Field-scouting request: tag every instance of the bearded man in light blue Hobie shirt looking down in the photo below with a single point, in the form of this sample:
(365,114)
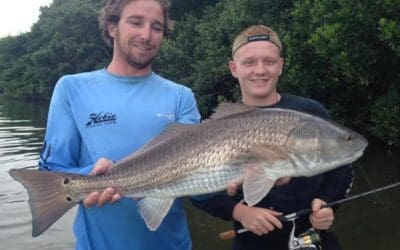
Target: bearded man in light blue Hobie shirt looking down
(110,113)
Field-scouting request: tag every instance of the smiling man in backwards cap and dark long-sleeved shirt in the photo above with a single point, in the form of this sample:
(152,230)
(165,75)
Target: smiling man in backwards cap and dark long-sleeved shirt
(257,64)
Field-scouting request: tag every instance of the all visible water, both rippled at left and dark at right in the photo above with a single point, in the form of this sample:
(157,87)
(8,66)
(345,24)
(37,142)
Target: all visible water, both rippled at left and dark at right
(367,223)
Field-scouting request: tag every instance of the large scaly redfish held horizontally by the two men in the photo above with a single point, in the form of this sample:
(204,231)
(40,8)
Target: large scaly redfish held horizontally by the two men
(250,145)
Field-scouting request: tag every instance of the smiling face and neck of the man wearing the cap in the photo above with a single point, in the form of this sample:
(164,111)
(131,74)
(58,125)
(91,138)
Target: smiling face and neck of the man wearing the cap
(257,66)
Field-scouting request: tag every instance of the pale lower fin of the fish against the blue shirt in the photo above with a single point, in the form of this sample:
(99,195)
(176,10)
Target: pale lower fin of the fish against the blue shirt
(153,211)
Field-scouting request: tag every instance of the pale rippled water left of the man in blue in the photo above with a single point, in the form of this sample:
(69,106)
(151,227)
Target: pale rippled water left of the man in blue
(21,137)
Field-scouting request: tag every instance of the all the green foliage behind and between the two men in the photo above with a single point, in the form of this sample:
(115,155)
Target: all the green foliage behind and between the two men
(343,53)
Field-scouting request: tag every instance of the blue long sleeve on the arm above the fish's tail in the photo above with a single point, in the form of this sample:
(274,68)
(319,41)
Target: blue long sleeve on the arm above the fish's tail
(62,144)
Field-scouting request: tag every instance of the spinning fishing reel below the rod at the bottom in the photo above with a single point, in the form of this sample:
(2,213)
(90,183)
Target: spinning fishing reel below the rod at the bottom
(309,240)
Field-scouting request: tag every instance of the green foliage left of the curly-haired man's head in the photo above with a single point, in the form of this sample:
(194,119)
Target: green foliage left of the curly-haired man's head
(65,40)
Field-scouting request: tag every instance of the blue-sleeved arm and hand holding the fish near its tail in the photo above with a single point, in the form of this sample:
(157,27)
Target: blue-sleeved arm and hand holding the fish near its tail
(62,146)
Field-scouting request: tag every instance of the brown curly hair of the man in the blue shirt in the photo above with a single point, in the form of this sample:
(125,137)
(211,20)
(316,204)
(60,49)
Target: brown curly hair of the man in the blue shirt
(111,13)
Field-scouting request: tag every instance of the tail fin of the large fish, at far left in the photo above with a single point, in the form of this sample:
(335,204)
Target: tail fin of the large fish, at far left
(48,200)
